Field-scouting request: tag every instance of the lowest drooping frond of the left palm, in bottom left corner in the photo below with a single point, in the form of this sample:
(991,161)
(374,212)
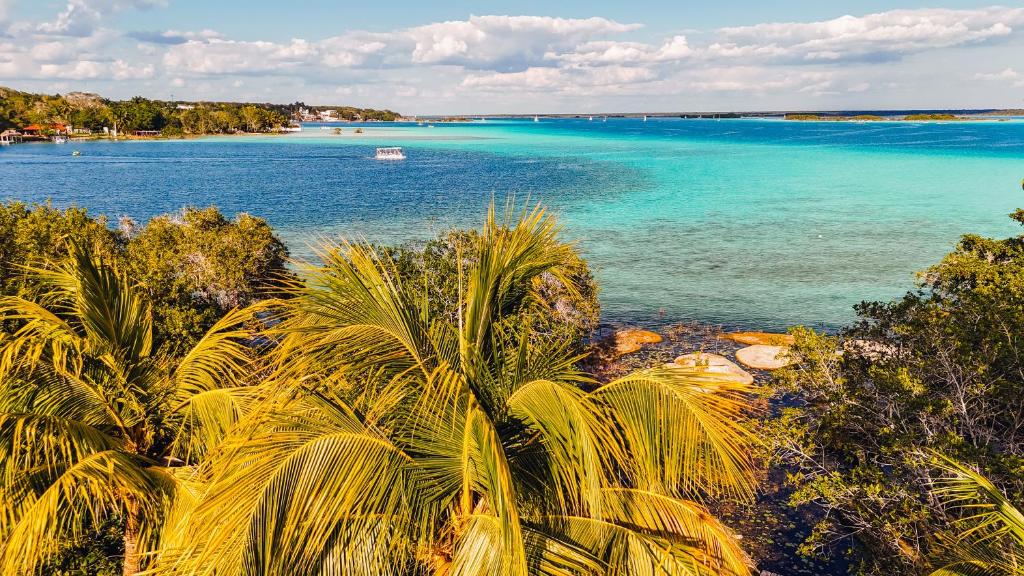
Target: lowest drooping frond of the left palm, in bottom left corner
(52,511)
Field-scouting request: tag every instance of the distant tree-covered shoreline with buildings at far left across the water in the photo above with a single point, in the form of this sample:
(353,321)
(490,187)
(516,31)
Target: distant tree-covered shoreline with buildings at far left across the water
(94,113)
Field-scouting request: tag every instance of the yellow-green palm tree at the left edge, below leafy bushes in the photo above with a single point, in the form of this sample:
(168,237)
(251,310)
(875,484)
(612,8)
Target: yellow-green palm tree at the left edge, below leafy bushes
(95,424)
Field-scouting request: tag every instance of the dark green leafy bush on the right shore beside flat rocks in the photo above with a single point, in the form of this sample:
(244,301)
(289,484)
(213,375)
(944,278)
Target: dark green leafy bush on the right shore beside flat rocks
(938,372)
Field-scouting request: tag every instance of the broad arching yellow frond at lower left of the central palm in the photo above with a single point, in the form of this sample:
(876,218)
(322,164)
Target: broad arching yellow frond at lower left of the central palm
(294,488)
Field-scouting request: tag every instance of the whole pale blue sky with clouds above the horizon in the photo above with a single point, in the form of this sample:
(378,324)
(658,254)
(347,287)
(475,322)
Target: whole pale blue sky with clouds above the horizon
(529,57)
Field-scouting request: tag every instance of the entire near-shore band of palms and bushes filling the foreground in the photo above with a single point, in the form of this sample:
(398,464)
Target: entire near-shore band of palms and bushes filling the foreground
(179,397)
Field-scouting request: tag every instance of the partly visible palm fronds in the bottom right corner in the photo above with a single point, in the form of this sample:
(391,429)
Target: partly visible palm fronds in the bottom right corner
(991,542)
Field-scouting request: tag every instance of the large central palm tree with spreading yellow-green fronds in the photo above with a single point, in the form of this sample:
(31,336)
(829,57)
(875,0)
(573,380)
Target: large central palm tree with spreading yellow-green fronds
(393,442)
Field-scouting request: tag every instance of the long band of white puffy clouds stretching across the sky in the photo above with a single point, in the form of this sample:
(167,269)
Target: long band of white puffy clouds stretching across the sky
(499,57)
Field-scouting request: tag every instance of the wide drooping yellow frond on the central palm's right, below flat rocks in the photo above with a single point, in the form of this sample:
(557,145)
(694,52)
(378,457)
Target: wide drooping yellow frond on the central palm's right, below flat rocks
(685,431)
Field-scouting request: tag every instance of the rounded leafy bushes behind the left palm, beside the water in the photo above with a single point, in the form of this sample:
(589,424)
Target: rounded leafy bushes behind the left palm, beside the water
(194,267)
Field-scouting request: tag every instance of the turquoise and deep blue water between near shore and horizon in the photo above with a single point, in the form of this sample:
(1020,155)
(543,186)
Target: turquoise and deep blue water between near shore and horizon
(759,224)
